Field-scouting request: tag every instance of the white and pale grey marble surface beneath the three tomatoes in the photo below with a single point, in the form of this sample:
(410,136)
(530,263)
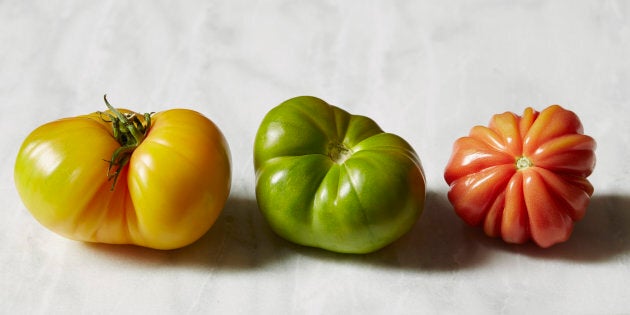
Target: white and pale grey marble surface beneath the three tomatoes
(426,70)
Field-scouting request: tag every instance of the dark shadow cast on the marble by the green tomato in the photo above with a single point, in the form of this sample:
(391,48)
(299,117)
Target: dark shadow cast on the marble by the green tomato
(437,242)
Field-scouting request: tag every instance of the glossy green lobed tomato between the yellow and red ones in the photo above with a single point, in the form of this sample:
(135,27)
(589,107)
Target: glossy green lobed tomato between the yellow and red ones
(329,179)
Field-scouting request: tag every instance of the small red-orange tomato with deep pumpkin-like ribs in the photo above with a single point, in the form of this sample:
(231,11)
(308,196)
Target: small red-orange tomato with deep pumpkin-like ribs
(523,177)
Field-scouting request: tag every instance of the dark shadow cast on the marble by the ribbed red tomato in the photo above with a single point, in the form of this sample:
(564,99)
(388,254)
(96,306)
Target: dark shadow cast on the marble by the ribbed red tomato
(601,235)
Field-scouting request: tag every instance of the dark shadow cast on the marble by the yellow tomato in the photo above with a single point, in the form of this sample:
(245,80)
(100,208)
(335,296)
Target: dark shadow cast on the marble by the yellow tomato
(238,240)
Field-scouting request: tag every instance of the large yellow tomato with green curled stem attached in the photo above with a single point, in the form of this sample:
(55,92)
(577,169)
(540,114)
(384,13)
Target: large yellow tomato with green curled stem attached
(119,177)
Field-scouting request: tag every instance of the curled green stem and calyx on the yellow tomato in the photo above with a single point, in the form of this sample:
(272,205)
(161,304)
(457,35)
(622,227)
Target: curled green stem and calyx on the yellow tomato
(129,131)
